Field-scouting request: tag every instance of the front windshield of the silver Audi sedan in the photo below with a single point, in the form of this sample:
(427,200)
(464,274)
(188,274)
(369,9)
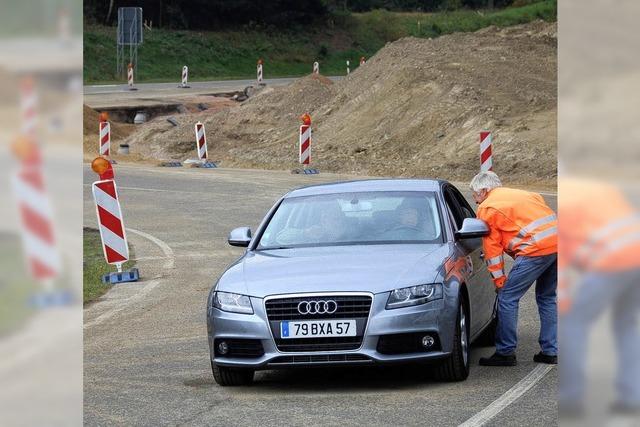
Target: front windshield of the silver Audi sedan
(354,219)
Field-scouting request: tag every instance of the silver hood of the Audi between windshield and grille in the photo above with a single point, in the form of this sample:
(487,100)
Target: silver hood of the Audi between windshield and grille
(371,268)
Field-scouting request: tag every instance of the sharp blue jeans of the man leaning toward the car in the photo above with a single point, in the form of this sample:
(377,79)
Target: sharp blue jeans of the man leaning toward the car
(544,271)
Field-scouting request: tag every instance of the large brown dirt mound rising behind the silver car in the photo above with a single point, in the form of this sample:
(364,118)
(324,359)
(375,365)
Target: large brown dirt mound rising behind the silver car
(414,109)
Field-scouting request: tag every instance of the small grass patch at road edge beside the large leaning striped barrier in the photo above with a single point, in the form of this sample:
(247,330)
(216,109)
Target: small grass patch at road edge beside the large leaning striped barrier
(95,266)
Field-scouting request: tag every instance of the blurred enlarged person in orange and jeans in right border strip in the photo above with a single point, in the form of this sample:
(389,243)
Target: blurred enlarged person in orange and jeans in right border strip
(599,268)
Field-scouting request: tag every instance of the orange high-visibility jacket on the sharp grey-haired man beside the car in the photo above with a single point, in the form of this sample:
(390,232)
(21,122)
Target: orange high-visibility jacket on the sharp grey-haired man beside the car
(520,224)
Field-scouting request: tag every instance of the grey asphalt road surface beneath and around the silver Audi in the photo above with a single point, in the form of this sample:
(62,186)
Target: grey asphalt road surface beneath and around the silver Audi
(146,360)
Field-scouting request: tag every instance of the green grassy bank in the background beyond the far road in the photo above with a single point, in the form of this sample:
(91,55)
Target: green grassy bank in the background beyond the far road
(233,54)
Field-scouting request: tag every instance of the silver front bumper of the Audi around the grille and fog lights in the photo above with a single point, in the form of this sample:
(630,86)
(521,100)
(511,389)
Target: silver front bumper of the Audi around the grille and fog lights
(433,318)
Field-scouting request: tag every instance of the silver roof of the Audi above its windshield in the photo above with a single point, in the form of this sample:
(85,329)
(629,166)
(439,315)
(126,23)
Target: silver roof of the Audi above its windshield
(368,185)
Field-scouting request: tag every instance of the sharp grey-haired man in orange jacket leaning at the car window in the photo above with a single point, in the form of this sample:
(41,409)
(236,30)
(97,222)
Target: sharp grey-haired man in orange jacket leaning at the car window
(525,228)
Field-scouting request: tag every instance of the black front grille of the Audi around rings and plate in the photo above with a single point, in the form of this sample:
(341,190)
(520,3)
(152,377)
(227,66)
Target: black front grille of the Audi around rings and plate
(355,307)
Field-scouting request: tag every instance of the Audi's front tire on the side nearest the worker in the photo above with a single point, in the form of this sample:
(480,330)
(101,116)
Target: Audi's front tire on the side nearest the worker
(456,366)
